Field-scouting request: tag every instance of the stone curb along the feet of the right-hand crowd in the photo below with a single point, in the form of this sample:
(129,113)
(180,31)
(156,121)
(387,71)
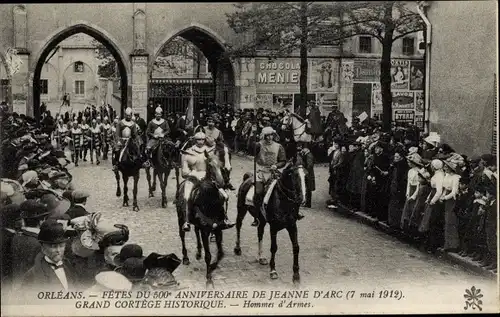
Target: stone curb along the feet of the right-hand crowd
(454,258)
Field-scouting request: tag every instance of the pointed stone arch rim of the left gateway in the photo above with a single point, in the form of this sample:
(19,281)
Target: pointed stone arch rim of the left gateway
(99,35)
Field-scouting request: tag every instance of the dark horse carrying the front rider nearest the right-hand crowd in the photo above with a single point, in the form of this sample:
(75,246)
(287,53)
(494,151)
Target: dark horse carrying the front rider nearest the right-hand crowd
(281,213)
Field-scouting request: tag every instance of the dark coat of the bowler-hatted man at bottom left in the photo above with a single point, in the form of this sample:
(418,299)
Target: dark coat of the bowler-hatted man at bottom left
(43,278)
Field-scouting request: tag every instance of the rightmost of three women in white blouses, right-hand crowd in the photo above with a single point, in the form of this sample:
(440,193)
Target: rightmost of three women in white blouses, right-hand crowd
(451,183)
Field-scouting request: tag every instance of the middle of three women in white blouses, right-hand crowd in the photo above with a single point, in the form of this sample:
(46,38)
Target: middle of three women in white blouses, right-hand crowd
(433,214)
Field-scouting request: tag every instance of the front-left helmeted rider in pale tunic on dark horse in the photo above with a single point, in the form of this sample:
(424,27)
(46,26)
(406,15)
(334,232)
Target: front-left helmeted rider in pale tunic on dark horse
(194,165)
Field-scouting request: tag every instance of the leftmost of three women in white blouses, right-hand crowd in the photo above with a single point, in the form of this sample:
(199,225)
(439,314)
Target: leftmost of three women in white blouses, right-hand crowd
(412,188)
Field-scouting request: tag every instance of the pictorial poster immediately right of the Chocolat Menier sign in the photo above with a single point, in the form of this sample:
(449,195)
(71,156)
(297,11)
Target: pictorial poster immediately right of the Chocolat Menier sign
(323,75)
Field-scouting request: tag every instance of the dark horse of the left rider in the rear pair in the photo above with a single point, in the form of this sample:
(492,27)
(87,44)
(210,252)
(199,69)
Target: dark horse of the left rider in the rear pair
(129,163)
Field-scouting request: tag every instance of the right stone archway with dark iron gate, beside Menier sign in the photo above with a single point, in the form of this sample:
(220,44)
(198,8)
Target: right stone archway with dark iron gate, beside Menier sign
(212,46)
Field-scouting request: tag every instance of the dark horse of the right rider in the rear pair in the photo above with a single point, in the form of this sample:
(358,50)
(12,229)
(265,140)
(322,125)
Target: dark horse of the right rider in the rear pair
(164,159)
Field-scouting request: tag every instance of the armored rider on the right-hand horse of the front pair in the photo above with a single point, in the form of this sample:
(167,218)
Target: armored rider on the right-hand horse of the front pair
(270,157)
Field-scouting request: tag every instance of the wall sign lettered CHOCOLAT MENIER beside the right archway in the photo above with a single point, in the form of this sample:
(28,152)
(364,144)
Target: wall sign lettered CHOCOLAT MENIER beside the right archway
(278,75)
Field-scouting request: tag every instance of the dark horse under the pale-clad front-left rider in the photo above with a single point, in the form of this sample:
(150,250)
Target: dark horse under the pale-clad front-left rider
(207,213)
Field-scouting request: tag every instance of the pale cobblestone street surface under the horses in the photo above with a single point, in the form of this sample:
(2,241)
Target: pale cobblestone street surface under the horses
(333,249)
